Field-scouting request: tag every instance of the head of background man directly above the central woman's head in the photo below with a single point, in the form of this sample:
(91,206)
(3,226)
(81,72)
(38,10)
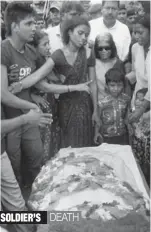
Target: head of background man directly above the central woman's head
(70,9)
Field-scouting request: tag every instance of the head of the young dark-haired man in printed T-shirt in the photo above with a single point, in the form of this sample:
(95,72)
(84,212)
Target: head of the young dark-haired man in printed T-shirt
(19,18)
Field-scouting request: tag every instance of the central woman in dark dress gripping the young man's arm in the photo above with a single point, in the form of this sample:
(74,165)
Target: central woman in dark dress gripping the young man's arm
(77,109)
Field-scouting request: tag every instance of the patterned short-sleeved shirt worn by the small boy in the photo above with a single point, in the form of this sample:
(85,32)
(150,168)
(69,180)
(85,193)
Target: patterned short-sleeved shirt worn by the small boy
(113,113)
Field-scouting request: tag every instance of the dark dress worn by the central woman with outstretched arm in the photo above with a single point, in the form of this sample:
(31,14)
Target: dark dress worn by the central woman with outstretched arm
(75,108)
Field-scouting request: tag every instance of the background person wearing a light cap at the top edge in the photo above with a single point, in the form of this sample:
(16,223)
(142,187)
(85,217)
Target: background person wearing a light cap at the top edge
(54,14)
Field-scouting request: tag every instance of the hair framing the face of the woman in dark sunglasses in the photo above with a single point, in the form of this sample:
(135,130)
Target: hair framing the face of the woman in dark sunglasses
(112,45)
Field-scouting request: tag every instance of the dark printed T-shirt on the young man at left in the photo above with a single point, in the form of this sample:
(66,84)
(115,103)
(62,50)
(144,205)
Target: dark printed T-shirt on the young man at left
(26,64)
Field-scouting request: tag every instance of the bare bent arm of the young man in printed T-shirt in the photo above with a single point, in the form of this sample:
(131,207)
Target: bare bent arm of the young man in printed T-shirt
(8,98)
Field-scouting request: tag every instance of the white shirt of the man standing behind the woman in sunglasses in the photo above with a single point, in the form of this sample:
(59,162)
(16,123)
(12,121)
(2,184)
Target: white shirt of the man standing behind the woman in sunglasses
(119,31)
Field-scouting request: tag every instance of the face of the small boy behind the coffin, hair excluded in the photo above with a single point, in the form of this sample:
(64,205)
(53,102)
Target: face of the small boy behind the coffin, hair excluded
(115,88)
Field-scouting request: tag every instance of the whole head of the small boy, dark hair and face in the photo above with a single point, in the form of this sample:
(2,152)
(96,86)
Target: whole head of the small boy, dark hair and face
(115,81)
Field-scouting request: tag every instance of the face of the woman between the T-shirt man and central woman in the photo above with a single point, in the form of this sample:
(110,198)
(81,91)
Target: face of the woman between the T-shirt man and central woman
(44,46)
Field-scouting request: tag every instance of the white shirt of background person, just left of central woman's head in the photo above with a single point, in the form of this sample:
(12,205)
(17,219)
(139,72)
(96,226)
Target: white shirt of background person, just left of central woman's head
(55,40)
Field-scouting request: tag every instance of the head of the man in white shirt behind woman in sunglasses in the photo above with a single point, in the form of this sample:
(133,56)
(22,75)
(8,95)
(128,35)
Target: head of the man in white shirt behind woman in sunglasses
(110,11)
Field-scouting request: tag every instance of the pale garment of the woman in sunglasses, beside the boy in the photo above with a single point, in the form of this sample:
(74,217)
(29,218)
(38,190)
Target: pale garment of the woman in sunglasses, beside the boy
(101,69)
